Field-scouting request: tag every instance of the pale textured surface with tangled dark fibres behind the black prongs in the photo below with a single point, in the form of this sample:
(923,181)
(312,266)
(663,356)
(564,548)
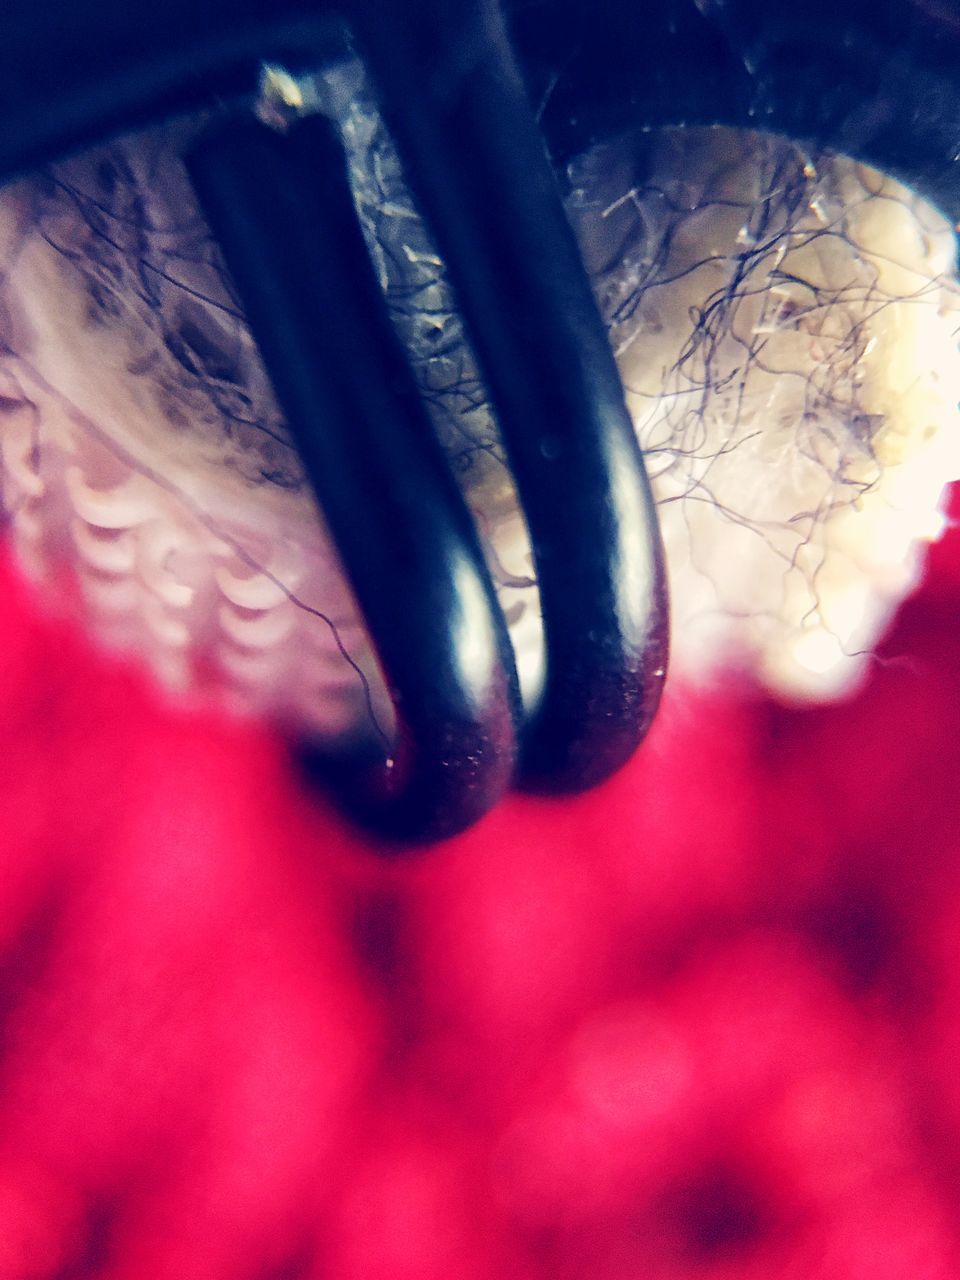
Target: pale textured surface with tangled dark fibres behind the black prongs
(785,326)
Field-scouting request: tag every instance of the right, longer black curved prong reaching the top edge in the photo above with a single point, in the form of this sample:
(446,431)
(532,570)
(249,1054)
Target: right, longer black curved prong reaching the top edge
(476,159)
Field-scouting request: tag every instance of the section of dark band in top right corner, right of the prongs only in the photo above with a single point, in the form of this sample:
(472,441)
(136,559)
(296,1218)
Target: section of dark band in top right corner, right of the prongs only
(879,80)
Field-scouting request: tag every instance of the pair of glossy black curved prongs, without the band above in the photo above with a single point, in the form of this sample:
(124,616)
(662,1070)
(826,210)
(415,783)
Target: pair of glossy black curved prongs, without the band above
(282,209)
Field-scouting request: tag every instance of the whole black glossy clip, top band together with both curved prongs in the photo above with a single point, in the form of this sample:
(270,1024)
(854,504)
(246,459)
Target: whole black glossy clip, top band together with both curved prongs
(455,81)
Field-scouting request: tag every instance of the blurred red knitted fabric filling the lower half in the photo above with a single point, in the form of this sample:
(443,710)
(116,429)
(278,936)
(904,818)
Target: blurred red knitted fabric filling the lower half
(701,1023)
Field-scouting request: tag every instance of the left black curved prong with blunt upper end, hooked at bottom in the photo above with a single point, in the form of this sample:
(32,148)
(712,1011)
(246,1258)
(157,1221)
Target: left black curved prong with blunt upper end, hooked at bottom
(282,211)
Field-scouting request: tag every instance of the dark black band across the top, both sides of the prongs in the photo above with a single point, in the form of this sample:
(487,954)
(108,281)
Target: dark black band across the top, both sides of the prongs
(877,79)
